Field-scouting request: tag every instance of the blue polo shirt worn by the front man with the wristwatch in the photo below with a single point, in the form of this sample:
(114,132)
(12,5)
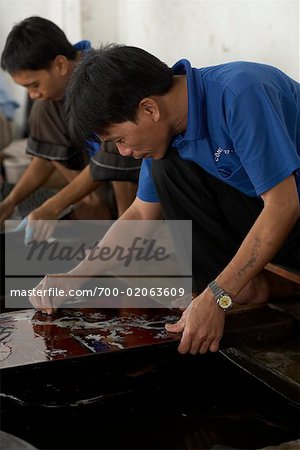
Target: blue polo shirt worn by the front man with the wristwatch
(243,127)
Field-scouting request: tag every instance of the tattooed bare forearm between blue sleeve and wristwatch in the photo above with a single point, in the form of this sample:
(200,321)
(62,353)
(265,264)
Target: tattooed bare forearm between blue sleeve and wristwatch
(279,215)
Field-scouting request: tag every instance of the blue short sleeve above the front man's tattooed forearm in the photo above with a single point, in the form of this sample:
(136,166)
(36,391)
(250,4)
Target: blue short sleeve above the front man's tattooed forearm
(262,123)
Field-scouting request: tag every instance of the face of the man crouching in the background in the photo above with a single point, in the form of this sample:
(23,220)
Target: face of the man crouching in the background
(43,84)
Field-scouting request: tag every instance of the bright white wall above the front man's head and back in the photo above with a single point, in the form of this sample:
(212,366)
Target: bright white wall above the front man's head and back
(205,31)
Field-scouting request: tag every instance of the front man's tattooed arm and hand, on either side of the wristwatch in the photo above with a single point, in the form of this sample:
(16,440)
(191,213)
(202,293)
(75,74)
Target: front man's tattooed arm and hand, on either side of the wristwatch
(202,323)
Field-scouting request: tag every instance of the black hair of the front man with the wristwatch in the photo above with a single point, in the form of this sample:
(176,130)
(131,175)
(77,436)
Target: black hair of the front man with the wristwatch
(107,86)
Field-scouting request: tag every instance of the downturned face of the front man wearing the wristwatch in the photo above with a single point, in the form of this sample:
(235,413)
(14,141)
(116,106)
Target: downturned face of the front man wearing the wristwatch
(143,139)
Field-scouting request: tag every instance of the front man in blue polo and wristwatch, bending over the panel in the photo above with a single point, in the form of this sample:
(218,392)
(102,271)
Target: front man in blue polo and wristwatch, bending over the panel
(220,146)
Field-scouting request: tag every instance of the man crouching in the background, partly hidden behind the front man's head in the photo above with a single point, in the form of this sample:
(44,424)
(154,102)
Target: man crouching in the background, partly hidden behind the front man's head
(39,57)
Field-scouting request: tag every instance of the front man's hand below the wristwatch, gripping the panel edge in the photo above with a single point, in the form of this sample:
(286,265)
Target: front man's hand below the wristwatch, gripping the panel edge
(201,324)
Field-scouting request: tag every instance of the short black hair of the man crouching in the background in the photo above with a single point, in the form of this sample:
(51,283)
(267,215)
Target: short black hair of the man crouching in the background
(33,44)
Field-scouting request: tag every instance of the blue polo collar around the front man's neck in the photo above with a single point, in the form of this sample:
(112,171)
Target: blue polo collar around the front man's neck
(195,125)
